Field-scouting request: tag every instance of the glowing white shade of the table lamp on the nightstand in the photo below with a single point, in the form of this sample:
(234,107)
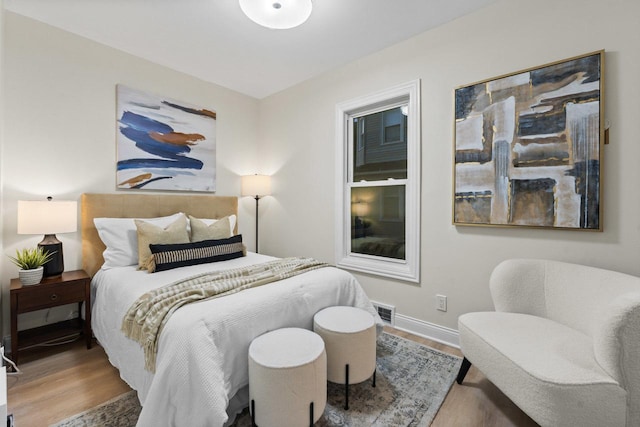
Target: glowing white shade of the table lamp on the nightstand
(47,217)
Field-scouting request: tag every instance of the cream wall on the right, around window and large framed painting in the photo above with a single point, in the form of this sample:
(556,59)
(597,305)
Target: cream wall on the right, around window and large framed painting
(297,145)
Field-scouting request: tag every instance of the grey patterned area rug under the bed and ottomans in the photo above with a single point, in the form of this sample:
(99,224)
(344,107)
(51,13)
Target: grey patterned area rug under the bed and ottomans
(412,382)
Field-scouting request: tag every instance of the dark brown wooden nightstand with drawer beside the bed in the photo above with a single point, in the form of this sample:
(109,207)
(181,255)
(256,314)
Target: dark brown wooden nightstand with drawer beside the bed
(70,287)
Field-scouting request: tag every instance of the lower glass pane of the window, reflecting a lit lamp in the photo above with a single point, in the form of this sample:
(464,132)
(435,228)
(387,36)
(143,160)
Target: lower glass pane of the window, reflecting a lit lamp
(378,221)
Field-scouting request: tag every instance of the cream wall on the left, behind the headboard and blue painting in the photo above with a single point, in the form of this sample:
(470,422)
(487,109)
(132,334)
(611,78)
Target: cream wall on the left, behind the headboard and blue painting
(60,128)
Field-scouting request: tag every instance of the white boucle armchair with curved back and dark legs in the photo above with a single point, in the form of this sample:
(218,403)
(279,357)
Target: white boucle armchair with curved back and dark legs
(563,343)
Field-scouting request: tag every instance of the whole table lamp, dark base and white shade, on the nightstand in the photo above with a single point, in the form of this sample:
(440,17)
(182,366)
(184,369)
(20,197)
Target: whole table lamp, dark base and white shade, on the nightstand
(48,217)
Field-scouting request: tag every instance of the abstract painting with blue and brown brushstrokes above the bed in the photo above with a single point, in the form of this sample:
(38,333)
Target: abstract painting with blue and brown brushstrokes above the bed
(164,144)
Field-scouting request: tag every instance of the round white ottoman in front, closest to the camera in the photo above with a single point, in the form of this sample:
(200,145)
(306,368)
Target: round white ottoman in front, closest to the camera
(287,378)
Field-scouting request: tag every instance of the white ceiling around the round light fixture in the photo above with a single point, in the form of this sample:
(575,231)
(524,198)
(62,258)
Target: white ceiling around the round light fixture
(214,41)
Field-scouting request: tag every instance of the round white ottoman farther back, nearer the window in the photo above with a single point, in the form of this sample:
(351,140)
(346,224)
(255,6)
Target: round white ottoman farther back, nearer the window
(349,335)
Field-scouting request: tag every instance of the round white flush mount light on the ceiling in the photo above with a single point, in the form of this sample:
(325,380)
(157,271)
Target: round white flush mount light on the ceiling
(277,14)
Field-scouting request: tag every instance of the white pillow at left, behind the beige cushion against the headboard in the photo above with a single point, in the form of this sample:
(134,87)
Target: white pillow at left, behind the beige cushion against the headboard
(120,237)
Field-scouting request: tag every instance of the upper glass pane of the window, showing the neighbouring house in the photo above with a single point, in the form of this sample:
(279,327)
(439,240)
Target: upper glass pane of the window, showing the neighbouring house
(380,146)
